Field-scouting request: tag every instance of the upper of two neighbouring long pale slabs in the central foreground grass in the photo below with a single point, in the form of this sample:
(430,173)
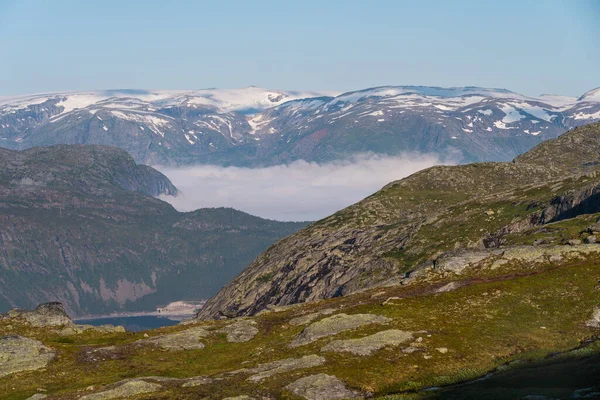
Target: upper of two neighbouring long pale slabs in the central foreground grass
(335,324)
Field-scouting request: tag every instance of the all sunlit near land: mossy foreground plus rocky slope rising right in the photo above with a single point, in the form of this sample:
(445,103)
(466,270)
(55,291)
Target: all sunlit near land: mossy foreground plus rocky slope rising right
(467,282)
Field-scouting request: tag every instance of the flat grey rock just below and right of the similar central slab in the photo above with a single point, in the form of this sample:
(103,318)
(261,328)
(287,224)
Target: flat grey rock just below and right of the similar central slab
(367,345)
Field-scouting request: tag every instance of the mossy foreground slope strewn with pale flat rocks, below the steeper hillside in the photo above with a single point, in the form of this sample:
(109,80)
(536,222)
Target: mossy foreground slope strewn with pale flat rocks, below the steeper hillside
(526,318)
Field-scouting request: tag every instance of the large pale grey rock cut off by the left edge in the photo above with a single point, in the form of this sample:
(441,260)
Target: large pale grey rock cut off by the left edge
(18,353)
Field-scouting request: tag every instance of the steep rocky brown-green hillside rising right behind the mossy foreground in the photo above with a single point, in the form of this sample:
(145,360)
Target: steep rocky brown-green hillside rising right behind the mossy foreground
(440,216)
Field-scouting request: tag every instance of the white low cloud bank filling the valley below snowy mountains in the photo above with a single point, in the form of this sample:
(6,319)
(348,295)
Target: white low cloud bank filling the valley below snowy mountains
(299,191)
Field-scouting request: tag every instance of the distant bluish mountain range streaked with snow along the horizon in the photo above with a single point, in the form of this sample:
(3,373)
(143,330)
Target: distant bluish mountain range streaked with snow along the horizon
(255,126)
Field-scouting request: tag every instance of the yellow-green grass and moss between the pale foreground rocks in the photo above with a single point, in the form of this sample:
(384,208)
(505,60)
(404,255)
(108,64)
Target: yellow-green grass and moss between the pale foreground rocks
(484,326)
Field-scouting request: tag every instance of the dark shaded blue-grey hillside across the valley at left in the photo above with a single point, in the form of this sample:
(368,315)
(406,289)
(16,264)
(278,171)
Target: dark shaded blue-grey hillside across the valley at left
(79,224)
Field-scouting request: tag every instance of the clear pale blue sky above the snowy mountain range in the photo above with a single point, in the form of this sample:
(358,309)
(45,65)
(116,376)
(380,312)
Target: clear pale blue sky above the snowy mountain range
(532,47)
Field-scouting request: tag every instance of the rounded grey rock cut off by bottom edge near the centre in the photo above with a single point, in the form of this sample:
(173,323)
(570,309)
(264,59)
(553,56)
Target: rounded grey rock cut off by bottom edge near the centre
(321,387)
